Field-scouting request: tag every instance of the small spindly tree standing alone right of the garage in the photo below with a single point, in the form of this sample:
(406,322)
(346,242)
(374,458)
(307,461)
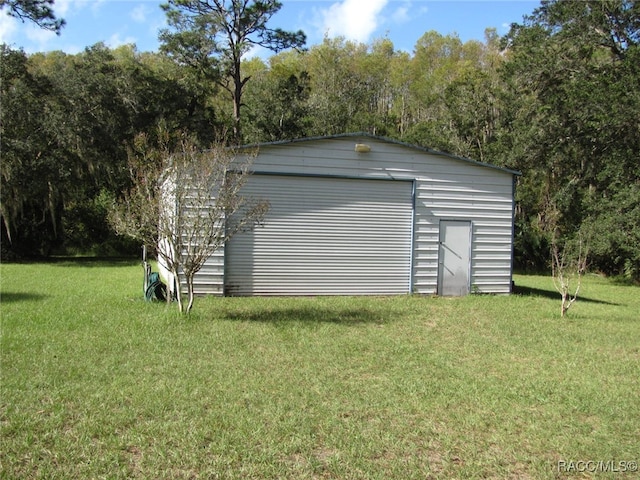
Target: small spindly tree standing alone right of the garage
(567,266)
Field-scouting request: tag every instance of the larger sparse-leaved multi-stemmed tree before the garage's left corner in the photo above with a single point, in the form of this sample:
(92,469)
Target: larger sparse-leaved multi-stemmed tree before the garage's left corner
(187,204)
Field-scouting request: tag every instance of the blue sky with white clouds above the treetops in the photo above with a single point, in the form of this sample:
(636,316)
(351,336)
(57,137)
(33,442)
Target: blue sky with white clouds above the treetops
(118,22)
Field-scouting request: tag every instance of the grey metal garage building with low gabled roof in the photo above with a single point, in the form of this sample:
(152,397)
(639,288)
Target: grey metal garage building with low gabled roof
(356,214)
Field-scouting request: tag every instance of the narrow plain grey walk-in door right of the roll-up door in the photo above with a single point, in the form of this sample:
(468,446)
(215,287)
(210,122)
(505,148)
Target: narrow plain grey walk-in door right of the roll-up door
(454,264)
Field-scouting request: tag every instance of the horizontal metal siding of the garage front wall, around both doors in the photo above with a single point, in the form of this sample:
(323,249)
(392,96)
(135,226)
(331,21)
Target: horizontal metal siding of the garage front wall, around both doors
(445,188)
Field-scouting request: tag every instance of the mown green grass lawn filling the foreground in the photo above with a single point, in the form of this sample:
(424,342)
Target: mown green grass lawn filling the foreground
(97,383)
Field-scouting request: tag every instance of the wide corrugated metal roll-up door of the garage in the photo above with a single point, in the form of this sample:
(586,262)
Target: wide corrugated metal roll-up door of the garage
(324,236)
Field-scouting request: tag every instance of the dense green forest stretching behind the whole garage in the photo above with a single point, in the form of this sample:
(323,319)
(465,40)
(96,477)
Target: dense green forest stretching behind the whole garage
(557,98)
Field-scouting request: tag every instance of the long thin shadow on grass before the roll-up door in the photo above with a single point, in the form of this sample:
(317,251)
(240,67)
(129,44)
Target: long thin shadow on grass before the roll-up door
(310,315)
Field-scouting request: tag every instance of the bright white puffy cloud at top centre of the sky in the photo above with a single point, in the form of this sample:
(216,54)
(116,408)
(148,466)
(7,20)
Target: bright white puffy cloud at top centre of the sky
(353,19)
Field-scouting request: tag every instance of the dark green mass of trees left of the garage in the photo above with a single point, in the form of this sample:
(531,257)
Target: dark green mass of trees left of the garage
(66,120)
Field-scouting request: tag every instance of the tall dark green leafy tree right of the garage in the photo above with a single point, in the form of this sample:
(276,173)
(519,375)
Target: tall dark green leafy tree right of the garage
(573,68)
